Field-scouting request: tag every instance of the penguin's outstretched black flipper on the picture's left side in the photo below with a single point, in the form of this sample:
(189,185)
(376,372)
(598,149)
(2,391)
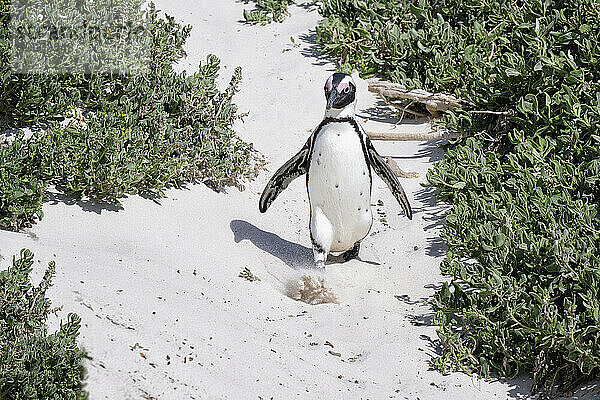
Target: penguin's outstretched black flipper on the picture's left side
(293,168)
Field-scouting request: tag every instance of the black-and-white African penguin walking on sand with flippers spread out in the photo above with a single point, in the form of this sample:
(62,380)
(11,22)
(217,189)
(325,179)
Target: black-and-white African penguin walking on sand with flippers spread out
(337,160)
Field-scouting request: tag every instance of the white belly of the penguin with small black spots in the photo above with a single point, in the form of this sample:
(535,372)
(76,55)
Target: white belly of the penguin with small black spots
(340,186)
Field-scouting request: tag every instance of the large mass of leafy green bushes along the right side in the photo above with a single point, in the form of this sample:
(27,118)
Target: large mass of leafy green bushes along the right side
(523,234)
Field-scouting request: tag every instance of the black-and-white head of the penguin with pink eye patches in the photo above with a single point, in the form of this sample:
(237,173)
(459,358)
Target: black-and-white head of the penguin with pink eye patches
(340,93)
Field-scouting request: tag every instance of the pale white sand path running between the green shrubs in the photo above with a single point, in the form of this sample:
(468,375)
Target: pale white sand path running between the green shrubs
(156,283)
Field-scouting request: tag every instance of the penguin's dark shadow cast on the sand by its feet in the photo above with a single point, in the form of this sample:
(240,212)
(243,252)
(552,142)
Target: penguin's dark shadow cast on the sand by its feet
(292,254)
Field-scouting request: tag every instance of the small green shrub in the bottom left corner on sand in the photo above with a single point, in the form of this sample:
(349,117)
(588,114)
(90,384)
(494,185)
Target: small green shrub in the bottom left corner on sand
(33,363)
